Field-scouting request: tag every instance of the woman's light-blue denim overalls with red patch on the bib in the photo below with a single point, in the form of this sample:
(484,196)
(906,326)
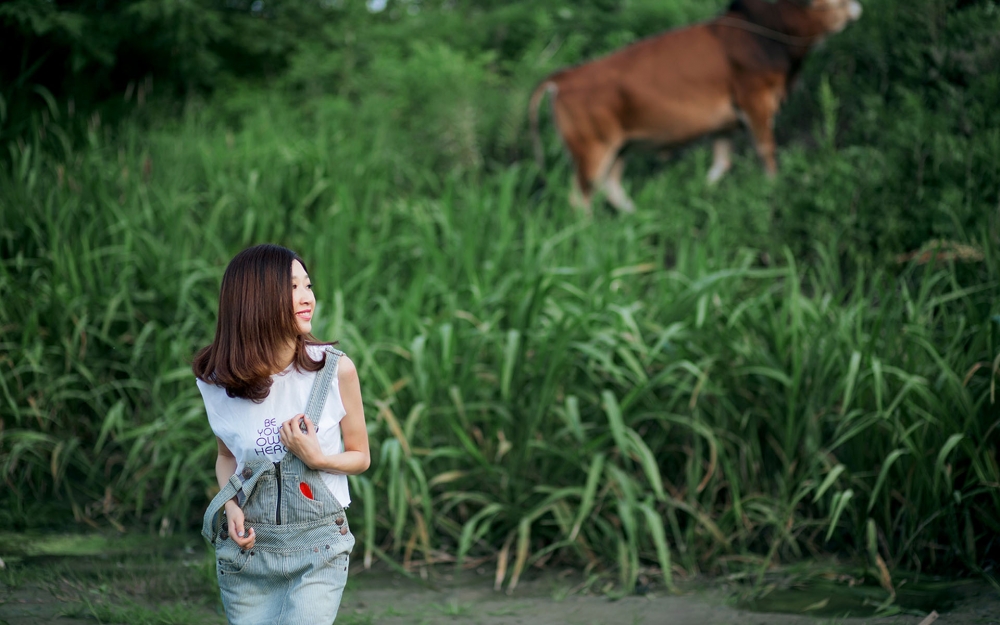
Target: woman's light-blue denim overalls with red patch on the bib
(297,569)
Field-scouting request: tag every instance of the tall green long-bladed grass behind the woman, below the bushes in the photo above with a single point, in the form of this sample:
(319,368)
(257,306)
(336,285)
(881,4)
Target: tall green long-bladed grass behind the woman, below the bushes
(671,392)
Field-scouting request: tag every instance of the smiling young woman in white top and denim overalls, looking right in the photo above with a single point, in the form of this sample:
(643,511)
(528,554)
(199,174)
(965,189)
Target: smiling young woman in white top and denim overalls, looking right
(286,412)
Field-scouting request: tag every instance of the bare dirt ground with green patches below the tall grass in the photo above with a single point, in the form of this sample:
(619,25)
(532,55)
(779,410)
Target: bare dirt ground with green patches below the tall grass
(77,581)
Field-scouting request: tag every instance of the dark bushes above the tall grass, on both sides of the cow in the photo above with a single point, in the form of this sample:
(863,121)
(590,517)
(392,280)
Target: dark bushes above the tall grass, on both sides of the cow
(912,87)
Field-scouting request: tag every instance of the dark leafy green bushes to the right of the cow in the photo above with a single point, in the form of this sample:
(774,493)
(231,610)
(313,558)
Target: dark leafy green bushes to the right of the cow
(914,83)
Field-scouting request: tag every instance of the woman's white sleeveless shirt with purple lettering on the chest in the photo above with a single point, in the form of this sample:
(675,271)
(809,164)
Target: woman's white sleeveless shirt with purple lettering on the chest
(250,430)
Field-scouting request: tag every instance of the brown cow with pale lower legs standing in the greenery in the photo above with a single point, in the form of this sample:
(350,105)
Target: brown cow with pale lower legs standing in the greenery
(684,84)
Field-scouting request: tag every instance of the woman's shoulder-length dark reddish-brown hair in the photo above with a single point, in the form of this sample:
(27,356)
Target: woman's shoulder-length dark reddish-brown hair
(256,321)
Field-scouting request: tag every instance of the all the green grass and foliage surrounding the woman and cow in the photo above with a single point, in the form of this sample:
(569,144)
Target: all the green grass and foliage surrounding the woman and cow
(733,378)
